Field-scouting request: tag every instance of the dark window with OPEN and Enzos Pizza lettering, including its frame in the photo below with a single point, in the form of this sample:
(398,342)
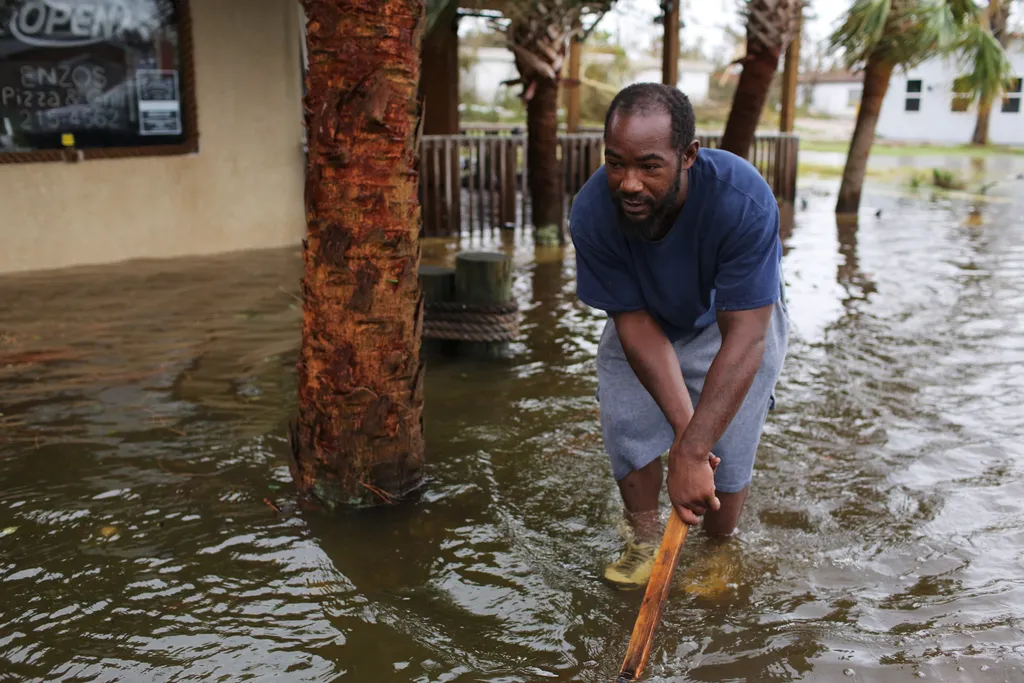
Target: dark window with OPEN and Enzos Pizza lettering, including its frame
(105,78)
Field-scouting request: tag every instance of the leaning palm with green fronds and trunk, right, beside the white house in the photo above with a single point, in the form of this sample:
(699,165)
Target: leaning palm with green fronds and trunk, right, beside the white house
(882,35)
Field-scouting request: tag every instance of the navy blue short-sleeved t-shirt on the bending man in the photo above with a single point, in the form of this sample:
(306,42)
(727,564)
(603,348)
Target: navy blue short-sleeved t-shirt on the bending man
(723,252)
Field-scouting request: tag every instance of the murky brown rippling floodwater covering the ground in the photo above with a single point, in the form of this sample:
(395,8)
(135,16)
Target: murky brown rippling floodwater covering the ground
(143,445)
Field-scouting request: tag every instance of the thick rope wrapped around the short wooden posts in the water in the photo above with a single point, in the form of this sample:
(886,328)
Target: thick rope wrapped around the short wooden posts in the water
(463,322)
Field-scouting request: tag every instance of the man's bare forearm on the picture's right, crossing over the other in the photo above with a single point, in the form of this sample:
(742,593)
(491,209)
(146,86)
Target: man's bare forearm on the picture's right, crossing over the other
(727,385)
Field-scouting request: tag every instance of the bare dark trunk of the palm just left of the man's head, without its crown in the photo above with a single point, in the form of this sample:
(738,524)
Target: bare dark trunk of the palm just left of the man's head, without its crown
(544,172)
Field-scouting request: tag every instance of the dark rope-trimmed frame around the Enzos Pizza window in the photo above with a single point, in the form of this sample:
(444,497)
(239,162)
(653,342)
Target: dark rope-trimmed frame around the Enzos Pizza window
(190,116)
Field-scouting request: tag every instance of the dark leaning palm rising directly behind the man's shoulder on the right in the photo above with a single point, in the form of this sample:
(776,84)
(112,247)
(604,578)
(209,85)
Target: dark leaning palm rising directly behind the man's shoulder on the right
(772,26)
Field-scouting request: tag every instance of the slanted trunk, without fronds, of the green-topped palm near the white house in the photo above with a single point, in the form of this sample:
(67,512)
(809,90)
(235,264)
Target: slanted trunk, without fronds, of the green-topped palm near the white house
(877,75)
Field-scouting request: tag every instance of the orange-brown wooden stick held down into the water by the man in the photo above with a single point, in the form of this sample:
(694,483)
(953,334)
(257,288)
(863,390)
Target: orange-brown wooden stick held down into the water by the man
(654,601)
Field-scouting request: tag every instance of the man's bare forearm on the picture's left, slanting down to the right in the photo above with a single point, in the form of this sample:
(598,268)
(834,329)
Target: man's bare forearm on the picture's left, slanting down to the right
(654,361)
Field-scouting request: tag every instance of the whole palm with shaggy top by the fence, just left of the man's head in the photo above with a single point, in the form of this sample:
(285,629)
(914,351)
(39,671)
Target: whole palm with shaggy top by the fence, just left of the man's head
(539,32)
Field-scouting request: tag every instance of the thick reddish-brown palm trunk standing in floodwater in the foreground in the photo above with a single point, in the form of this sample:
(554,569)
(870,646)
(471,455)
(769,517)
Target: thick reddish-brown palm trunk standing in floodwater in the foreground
(360,436)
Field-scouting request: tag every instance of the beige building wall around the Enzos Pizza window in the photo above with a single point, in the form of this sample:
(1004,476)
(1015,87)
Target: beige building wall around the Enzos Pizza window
(244,189)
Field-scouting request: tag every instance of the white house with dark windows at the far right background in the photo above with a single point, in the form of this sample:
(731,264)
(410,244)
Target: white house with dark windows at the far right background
(921,106)
